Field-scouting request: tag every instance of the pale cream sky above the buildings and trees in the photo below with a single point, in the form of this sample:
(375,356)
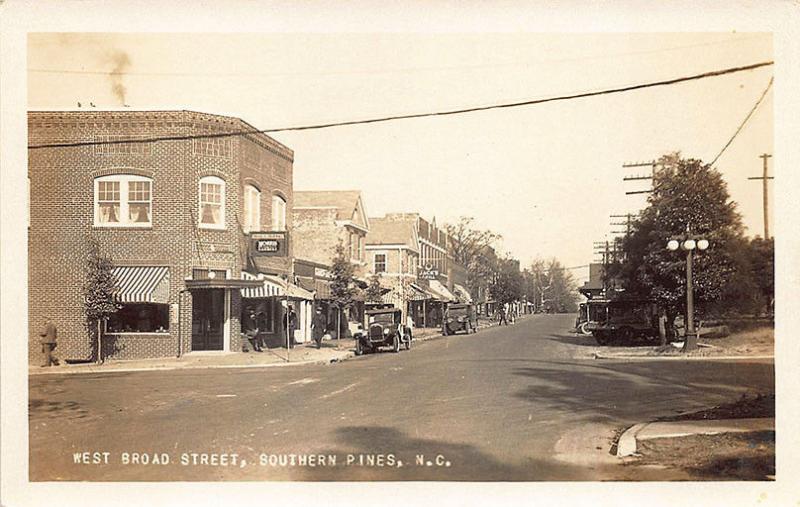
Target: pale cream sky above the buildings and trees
(546,177)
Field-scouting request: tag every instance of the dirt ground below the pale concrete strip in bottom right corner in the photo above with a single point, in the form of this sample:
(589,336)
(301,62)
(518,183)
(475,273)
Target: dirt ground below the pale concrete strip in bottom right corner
(729,456)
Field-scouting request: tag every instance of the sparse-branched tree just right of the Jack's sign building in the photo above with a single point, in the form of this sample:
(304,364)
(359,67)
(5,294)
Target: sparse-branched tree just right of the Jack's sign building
(472,248)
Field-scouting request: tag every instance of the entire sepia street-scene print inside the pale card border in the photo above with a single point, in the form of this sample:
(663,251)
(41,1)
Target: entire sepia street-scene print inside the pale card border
(399,256)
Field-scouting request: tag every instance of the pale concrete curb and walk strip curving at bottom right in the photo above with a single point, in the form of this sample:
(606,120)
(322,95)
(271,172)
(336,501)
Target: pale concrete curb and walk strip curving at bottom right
(628,441)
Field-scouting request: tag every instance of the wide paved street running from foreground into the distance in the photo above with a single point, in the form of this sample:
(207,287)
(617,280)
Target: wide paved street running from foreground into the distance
(523,402)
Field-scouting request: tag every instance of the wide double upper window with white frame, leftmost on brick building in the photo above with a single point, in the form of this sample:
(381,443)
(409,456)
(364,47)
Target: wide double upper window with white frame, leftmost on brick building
(123,200)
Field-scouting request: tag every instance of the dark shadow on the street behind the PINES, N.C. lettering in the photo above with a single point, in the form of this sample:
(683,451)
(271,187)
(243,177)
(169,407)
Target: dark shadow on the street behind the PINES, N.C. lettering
(440,460)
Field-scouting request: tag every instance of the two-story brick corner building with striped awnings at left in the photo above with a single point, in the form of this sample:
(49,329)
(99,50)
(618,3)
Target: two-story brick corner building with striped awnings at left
(178,218)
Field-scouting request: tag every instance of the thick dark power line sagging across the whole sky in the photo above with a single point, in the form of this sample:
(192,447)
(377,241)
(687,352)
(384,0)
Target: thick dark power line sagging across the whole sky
(608,91)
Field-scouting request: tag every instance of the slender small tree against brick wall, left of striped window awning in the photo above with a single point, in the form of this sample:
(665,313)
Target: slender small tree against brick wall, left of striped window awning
(99,290)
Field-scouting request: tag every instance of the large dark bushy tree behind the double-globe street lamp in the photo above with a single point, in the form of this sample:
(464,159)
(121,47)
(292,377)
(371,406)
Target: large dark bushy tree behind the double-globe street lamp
(688,196)
